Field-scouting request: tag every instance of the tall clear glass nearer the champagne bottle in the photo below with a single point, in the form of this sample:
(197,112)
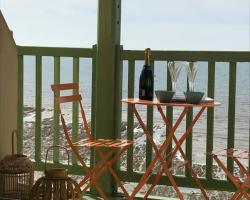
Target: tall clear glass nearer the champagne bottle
(174,69)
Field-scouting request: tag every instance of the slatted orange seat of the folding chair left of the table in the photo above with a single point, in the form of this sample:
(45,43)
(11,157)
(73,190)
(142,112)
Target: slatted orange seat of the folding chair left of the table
(108,143)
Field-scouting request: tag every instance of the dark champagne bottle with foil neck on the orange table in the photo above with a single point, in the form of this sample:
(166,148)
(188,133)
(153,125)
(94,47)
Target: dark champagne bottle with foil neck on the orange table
(146,84)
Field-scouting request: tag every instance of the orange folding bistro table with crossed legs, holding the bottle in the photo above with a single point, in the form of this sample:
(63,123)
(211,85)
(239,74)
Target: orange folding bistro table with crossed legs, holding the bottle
(159,152)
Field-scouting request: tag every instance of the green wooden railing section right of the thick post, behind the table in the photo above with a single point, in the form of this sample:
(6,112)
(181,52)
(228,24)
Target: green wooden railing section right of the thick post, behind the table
(232,58)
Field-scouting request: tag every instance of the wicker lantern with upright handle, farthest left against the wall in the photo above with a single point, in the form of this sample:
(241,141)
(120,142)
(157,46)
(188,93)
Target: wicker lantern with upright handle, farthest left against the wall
(16,175)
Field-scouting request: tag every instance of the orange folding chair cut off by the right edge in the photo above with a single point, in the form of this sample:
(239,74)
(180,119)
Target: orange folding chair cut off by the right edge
(242,184)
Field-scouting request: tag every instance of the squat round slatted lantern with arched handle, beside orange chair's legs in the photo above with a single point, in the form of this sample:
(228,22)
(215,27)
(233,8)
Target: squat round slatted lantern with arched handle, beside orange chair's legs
(56,185)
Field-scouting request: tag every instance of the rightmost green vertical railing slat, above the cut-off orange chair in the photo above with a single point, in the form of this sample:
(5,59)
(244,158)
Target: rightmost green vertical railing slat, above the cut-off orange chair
(231,110)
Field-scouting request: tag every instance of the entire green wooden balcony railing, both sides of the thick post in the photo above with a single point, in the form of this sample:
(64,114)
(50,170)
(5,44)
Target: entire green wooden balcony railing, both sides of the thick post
(131,57)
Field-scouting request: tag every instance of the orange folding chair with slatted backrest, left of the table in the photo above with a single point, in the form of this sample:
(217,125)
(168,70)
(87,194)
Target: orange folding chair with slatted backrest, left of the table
(116,147)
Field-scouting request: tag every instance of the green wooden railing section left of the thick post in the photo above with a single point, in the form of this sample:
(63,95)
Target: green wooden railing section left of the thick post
(56,53)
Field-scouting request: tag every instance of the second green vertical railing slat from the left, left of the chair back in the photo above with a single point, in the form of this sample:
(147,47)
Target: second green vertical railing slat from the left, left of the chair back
(38,108)
